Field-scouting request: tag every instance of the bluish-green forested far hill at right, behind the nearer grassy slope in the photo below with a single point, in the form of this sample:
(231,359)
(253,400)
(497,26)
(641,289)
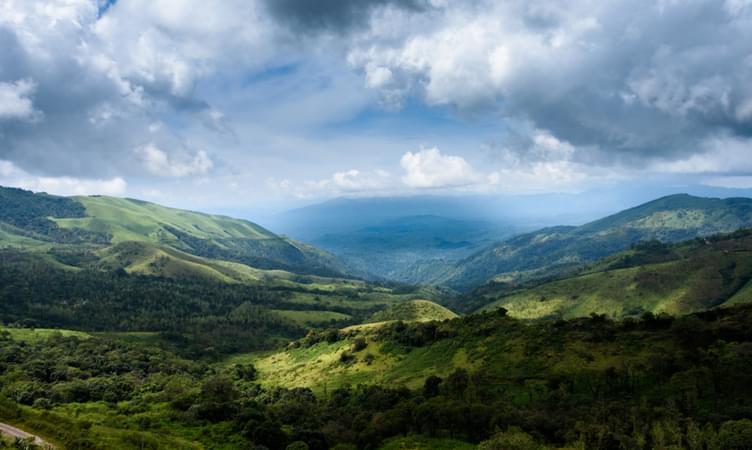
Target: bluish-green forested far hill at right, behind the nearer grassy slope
(554,251)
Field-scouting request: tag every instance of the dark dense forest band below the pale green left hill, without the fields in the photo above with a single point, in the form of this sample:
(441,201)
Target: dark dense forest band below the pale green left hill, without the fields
(200,316)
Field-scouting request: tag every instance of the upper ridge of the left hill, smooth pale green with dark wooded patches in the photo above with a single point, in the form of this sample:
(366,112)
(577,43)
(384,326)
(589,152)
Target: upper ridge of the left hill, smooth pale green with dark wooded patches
(40,220)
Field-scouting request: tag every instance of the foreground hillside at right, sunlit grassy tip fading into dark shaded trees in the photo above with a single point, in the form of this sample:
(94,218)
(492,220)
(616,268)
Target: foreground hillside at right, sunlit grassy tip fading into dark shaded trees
(565,382)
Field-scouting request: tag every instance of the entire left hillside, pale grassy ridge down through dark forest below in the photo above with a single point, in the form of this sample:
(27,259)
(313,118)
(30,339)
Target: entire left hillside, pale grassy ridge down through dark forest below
(206,285)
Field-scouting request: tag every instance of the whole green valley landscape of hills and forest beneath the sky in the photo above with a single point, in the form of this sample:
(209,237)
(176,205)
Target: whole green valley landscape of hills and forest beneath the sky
(140,326)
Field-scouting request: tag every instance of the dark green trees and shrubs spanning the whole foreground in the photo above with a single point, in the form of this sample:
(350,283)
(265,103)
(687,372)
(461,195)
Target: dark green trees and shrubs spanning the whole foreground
(657,382)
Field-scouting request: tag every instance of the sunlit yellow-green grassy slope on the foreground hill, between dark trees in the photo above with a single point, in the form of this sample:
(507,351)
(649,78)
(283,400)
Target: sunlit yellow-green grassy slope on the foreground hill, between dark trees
(506,350)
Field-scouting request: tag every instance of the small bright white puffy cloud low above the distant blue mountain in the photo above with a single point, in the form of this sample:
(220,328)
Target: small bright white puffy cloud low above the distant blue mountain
(428,168)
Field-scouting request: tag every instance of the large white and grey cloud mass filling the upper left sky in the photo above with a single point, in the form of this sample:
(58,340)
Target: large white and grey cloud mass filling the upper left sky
(104,72)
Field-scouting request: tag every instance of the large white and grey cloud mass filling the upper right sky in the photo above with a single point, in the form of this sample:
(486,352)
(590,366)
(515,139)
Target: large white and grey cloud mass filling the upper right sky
(624,80)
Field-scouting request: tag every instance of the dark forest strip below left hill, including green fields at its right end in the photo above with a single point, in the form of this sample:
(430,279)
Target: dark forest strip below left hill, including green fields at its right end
(197,316)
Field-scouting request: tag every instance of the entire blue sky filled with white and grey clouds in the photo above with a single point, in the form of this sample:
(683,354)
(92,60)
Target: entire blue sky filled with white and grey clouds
(244,104)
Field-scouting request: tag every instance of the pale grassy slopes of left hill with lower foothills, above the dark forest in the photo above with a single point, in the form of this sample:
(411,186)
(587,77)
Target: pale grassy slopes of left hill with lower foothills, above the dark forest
(149,239)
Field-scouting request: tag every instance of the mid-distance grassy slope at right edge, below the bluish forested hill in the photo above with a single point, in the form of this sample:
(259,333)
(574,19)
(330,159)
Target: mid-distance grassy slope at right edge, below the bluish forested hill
(677,280)
